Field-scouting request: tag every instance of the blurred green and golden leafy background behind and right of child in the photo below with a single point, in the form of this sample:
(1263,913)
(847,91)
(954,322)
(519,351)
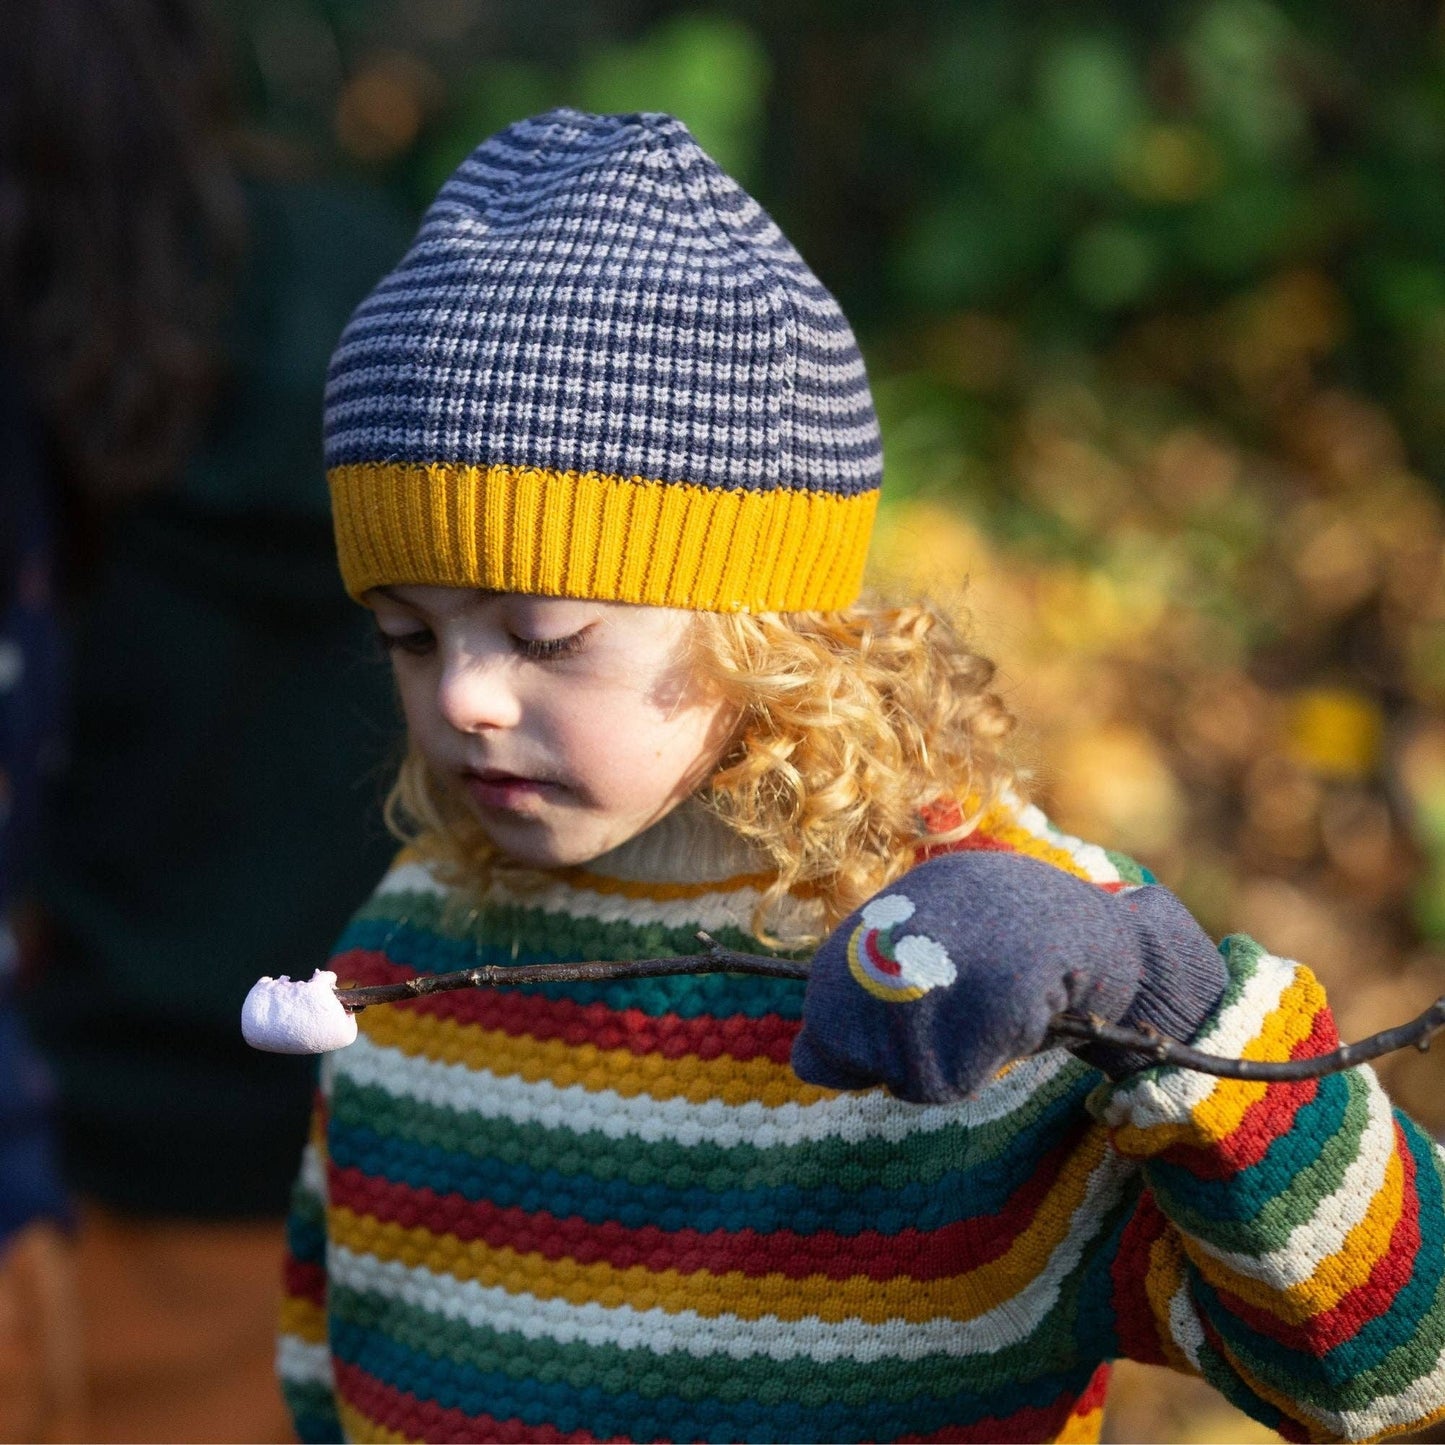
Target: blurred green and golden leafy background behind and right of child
(1154,298)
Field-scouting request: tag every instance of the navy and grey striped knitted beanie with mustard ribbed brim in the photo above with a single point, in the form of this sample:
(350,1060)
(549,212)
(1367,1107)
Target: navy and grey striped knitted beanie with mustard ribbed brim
(603,372)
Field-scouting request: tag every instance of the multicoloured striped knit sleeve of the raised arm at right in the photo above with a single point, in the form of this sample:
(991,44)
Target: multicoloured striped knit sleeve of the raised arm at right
(1290,1245)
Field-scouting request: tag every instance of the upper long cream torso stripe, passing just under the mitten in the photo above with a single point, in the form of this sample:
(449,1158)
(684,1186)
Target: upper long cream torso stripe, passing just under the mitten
(847,1116)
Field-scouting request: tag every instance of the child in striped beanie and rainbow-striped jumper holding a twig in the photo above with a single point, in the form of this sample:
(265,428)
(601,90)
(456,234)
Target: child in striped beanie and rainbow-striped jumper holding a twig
(602,378)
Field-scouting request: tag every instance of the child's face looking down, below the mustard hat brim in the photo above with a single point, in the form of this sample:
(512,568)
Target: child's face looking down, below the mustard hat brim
(567,726)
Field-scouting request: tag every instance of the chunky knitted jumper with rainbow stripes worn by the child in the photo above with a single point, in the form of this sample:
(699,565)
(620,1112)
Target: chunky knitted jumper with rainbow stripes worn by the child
(611,1212)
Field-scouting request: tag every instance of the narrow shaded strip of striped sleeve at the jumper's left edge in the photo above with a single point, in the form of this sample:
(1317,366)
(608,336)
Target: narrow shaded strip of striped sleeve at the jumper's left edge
(303,1355)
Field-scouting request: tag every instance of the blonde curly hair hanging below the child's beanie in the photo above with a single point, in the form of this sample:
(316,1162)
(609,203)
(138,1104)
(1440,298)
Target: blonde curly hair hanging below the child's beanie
(862,738)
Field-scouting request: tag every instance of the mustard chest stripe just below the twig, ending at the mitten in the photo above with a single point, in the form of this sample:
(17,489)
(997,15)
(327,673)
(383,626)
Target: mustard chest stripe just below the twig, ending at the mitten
(556,1061)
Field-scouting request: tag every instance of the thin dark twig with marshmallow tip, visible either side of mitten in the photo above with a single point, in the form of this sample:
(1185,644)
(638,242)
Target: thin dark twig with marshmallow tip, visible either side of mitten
(1066,1031)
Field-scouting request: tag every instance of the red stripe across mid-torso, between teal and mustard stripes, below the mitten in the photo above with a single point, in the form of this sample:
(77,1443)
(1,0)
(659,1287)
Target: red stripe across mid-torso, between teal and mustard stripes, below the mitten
(921,1255)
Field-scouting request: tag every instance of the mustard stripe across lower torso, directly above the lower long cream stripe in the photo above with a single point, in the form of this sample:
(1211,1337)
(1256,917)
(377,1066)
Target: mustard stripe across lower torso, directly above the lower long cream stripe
(751,1297)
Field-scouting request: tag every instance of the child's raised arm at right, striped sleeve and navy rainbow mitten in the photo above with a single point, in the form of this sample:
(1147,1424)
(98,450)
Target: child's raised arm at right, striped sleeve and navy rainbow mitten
(1291,1242)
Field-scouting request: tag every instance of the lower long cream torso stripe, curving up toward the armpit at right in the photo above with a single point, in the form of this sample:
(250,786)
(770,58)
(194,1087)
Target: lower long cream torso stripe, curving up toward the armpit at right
(704,1336)
